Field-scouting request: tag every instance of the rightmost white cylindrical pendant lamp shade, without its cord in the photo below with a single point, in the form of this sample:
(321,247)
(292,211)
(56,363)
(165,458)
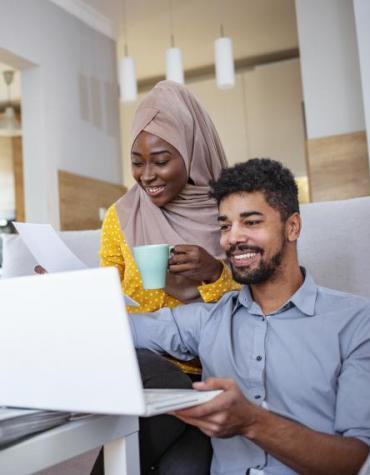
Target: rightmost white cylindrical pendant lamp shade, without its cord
(224,61)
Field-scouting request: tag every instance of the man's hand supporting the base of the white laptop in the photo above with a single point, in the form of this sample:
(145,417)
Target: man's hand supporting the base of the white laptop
(226,415)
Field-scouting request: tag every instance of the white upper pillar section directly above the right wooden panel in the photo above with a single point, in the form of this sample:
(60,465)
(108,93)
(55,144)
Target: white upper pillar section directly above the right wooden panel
(330,67)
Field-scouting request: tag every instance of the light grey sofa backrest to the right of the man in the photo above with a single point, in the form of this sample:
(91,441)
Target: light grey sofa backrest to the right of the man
(335,244)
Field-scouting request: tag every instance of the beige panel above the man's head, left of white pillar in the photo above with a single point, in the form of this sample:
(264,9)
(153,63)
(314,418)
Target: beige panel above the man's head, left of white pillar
(275,126)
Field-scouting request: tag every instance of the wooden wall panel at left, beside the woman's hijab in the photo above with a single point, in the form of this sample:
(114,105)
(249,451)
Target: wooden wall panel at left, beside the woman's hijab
(80,199)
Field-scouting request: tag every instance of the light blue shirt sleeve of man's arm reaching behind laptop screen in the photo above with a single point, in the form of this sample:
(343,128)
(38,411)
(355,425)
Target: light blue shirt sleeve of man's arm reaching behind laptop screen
(173,331)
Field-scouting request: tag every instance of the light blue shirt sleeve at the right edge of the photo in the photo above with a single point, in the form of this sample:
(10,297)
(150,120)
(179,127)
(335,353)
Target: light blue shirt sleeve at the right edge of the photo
(353,397)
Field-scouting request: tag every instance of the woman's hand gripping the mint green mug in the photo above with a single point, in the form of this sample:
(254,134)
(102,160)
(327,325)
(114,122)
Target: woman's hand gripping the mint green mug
(195,263)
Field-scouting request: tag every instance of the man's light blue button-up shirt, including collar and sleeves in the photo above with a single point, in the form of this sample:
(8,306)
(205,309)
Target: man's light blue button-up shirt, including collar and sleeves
(309,361)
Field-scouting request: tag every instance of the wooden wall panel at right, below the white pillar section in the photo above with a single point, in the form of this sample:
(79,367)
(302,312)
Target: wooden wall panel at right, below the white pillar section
(338,167)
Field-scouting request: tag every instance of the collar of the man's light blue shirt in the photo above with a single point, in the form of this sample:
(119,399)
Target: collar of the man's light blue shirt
(304,298)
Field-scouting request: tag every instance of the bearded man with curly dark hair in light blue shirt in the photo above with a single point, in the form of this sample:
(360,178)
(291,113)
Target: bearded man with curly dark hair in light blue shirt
(292,358)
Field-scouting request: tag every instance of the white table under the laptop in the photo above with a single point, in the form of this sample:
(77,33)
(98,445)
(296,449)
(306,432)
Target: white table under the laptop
(118,434)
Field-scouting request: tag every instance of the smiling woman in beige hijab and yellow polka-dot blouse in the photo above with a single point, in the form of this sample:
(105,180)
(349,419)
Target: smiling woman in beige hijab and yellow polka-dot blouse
(176,151)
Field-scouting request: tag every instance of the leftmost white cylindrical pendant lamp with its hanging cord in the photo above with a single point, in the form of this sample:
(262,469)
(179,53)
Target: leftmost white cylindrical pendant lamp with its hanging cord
(127,74)
